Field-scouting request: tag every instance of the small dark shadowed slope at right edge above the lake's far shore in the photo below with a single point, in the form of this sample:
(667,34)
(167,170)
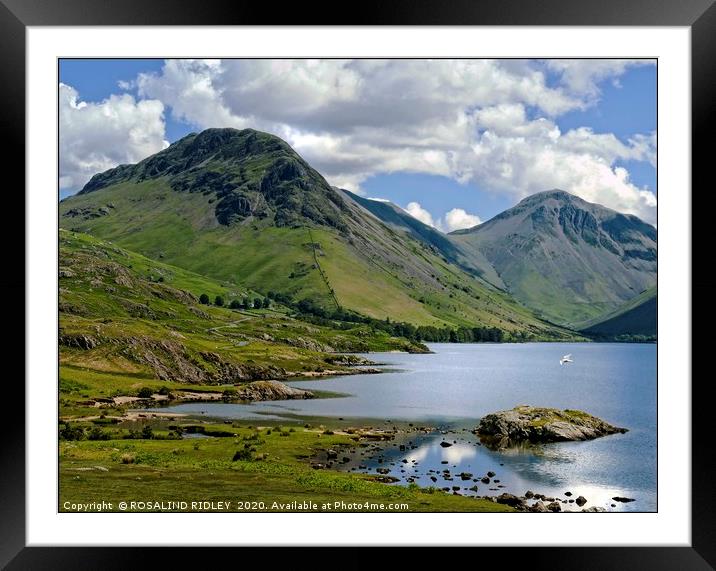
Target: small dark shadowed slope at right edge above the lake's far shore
(637,317)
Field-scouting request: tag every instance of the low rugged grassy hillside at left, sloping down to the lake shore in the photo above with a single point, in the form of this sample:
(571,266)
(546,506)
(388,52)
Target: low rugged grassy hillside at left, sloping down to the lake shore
(128,322)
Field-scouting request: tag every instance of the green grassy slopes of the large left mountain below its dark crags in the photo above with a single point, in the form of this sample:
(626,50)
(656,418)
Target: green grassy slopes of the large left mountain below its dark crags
(394,277)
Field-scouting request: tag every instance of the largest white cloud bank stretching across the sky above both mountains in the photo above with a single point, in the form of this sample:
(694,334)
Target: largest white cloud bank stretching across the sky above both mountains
(488,123)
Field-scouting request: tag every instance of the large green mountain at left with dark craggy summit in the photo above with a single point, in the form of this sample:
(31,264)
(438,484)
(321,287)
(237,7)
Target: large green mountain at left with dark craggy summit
(242,207)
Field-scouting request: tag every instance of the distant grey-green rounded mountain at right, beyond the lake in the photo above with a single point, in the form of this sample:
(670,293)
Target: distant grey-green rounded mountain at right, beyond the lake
(566,258)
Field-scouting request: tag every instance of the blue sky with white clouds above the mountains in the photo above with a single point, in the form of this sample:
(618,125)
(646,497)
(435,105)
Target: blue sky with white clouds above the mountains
(453,142)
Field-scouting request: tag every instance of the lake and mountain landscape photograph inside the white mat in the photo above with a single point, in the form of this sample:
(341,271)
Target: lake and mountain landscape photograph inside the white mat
(397,285)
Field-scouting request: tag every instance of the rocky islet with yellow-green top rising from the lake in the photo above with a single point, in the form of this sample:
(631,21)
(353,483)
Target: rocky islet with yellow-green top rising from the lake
(542,425)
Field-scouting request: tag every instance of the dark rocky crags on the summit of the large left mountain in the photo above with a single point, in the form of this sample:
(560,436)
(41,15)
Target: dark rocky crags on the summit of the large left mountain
(246,173)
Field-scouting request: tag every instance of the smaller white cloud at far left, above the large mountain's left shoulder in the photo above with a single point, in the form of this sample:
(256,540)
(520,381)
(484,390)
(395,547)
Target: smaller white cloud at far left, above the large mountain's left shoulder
(97,136)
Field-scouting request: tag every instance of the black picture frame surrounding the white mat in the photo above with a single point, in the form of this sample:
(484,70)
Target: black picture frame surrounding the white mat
(17,15)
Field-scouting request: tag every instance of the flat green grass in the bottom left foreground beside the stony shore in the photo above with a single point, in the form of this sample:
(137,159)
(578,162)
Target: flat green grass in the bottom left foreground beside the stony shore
(202,469)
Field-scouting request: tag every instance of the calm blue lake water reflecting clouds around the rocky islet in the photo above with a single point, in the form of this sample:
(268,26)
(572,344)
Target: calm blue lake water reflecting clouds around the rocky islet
(458,384)
